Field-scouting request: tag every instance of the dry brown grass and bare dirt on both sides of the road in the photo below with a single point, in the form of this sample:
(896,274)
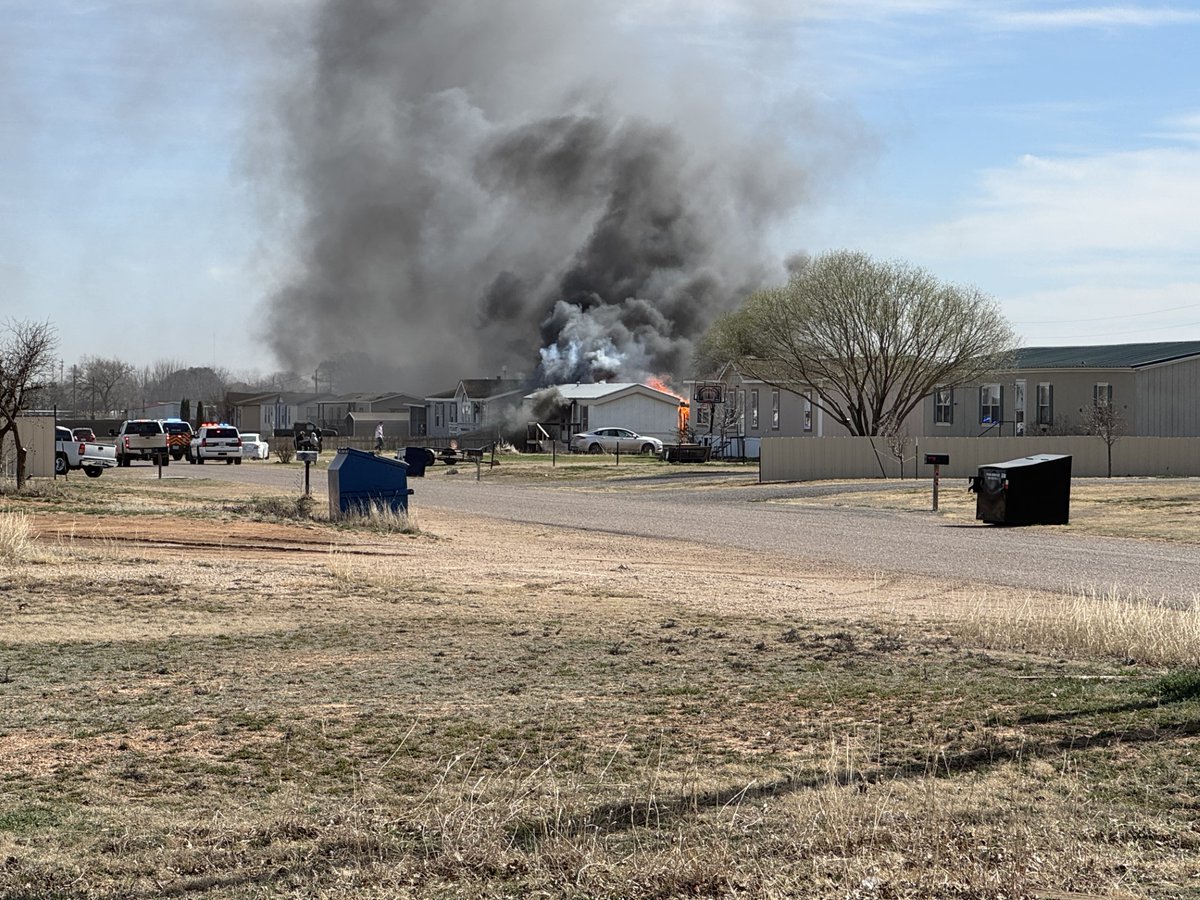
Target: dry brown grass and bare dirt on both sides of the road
(208,691)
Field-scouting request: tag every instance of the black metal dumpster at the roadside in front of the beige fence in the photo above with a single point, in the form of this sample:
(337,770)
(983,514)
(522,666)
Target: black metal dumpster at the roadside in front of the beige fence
(1034,490)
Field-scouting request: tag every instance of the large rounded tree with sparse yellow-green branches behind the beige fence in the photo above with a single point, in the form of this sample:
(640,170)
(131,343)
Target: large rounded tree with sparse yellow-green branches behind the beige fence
(871,340)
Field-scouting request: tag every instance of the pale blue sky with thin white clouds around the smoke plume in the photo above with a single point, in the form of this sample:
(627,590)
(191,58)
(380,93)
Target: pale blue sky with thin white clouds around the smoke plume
(1046,153)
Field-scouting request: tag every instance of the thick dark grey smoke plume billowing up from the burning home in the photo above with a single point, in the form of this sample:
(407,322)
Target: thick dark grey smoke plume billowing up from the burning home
(515,184)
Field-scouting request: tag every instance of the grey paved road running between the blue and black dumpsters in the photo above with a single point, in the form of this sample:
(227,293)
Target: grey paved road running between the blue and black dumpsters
(743,517)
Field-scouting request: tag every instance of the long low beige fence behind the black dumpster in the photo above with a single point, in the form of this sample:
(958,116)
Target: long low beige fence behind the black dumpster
(818,459)
